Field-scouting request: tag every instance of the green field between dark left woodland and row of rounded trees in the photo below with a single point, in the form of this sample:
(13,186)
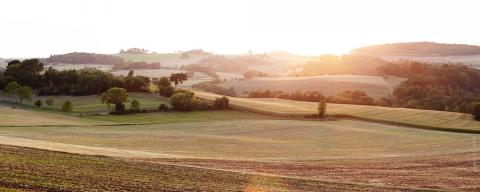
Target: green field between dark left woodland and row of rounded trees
(92,104)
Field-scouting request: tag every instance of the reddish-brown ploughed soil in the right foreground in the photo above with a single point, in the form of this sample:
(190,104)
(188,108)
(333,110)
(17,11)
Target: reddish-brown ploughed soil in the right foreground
(453,172)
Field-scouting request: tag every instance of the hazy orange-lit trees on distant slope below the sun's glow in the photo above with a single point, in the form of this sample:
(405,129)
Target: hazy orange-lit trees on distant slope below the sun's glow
(345,64)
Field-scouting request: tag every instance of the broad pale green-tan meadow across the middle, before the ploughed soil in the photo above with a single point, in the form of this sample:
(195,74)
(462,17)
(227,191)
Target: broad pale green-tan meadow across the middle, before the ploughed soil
(257,140)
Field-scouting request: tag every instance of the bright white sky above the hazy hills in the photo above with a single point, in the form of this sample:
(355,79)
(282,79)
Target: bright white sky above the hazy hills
(33,28)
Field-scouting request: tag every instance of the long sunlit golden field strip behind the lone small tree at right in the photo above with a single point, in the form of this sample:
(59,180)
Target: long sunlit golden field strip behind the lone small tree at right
(428,119)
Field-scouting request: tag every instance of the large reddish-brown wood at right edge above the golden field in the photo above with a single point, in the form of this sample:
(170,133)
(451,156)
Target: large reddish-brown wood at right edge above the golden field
(443,87)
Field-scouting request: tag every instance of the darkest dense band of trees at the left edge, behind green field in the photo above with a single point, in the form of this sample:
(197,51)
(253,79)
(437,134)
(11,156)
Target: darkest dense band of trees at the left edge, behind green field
(31,73)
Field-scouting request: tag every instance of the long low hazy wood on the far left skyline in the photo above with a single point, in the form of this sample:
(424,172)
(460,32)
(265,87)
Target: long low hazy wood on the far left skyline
(85,58)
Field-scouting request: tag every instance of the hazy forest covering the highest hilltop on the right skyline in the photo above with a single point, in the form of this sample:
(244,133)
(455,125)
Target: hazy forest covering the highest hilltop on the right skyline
(419,49)
